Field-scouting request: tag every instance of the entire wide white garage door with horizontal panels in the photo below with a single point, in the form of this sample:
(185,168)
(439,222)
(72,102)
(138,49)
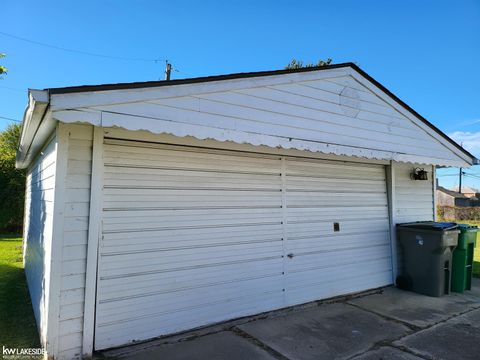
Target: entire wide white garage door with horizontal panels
(192,237)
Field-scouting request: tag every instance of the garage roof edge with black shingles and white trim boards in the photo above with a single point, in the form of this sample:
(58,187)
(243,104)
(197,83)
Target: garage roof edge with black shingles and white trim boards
(41,101)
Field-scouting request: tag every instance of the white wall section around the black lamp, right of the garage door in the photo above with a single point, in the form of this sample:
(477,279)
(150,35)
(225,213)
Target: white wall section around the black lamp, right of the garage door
(414,199)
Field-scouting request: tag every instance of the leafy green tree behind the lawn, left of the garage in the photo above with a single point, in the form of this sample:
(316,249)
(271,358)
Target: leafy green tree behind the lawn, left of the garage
(12,181)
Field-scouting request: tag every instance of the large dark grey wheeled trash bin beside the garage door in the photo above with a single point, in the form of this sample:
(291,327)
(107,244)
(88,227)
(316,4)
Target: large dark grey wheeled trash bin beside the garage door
(427,256)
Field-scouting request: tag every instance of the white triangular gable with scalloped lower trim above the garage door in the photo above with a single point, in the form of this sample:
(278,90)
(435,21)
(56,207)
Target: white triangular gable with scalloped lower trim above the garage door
(329,112)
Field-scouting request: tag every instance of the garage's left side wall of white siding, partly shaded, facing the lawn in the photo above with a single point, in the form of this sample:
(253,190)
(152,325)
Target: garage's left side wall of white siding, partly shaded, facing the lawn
(39,197)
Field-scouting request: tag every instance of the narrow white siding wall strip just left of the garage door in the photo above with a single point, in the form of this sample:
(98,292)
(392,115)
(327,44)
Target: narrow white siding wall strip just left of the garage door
(75,234)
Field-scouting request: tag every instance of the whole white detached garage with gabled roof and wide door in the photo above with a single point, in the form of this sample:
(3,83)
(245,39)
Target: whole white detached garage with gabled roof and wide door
(153,208)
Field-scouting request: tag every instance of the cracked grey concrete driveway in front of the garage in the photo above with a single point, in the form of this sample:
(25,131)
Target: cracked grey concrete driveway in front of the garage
(385,324)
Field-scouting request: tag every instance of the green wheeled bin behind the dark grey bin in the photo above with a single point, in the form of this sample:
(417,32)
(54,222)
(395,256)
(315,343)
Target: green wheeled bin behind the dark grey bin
(462,259)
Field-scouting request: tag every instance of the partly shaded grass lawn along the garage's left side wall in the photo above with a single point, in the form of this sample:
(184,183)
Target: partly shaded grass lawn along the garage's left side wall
(17,323)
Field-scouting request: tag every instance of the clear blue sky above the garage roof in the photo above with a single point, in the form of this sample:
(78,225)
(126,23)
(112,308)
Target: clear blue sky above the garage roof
(425,51)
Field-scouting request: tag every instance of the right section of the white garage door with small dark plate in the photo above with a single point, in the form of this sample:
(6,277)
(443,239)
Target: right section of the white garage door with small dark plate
(324,261)
